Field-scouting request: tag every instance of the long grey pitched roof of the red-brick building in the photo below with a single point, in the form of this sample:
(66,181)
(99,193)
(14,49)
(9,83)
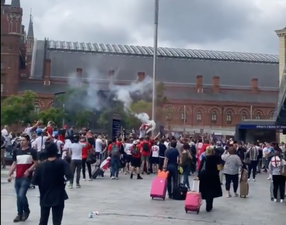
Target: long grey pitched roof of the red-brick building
(175,66)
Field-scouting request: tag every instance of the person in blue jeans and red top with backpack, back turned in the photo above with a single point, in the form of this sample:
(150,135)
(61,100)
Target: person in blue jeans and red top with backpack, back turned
(114,153)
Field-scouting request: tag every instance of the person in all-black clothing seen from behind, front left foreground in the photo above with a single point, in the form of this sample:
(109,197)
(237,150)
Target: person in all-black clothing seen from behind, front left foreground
(51,176)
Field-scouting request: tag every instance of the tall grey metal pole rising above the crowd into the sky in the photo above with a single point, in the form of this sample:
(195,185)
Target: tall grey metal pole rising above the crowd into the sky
(155,47)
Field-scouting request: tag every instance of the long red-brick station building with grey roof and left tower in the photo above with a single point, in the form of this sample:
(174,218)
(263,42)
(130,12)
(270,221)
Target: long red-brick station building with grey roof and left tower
(217,89)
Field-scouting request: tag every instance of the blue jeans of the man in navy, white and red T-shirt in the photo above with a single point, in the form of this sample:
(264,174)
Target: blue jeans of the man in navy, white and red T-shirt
(21,187)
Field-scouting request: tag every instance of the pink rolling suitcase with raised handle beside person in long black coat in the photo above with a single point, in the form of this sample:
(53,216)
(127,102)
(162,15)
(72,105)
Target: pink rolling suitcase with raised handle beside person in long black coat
(193,200)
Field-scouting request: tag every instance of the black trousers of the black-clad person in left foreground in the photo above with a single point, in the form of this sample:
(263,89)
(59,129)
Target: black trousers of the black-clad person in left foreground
(57,214)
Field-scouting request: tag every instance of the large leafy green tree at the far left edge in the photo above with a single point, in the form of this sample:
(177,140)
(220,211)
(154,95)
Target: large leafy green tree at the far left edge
(18,108)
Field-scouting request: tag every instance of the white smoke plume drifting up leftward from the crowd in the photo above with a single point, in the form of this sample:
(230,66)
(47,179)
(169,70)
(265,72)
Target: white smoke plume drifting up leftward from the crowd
(122,93)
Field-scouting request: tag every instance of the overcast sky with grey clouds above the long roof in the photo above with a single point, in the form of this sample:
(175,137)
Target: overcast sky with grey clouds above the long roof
(244,25)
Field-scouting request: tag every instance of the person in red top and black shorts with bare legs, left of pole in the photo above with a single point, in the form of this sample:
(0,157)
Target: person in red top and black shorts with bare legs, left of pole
(135,160)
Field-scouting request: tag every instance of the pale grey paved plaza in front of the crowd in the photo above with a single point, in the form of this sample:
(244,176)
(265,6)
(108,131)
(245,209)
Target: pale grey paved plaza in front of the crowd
(127,202)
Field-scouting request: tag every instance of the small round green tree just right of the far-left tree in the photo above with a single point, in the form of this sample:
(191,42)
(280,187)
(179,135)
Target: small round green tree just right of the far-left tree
(57,115)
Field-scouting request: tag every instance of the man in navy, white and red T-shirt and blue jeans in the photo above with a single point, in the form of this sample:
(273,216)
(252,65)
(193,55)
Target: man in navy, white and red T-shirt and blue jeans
(24,162)
